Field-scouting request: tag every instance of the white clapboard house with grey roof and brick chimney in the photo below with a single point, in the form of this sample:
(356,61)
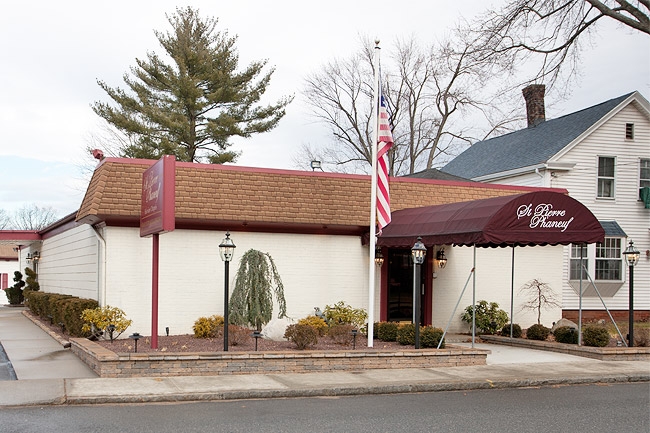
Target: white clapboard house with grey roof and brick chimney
(601,156)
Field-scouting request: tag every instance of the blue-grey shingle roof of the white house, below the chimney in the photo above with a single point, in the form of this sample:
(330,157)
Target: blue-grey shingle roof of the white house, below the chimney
(529,146)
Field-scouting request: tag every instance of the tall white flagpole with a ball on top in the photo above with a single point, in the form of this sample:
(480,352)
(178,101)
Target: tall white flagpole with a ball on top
(373,200)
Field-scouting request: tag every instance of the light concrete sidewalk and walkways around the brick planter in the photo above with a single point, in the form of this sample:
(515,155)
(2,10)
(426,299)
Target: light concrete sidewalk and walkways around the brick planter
(50,374)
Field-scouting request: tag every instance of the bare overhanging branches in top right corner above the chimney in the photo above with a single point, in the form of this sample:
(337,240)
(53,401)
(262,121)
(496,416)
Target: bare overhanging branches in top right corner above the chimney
(550,32)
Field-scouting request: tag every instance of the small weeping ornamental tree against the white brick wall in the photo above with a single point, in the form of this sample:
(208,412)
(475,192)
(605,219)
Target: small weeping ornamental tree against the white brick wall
(257,280)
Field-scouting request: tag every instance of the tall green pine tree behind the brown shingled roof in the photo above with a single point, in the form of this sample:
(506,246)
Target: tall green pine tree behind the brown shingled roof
(191,108)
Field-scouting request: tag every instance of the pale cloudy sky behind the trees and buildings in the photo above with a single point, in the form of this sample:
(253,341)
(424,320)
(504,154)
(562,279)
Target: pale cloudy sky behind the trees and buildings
(53,53)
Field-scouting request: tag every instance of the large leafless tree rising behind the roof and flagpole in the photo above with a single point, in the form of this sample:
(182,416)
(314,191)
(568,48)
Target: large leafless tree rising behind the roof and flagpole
(430,93)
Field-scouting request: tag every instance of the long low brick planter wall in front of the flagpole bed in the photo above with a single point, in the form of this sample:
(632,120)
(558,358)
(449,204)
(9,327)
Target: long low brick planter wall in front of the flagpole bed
(109,364)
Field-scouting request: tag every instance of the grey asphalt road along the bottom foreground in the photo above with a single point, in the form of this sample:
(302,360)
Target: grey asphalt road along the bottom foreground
(575,409)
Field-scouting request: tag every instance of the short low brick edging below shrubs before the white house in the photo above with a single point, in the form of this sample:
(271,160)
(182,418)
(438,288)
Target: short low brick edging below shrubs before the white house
(600,353)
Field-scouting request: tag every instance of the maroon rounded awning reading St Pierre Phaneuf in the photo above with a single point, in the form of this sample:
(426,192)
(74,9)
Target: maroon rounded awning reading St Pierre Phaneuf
(536,218)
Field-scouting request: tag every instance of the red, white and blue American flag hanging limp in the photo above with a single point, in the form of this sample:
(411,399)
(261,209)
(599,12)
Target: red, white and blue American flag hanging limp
(385,141)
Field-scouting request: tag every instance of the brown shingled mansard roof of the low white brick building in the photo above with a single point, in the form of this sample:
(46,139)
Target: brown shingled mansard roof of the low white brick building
(241,198)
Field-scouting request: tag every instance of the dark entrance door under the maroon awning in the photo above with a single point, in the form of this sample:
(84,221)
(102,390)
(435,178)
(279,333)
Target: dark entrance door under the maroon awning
(400,287)
